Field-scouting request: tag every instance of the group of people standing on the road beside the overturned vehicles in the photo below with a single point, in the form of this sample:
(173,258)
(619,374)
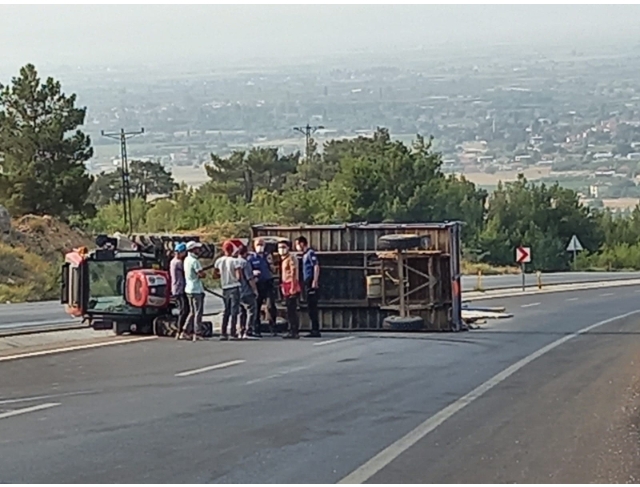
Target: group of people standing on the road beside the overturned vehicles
(248,282)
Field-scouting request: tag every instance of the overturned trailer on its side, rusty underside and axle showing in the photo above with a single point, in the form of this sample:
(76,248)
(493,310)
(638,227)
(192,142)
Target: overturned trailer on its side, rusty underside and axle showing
(383,276)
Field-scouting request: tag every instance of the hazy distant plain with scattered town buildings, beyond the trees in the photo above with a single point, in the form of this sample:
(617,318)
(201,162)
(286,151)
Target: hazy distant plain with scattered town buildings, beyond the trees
(566,116)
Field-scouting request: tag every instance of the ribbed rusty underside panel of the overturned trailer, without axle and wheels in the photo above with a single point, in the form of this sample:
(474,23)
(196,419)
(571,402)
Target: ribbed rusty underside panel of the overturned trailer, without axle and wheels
(347,254)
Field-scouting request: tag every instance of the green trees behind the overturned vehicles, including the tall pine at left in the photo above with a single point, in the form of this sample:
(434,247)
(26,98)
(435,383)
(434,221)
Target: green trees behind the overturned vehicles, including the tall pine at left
(376,179)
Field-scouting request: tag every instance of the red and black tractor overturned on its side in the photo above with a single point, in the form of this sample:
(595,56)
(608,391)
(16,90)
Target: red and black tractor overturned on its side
(123,284)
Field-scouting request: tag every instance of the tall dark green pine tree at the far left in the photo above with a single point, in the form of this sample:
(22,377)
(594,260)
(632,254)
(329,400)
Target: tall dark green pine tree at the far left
(42,151)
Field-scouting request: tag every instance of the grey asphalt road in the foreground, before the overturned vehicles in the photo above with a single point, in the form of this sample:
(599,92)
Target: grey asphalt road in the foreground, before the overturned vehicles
(476,406)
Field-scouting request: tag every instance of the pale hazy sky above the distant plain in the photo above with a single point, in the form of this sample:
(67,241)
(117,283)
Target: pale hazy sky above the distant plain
(111,34)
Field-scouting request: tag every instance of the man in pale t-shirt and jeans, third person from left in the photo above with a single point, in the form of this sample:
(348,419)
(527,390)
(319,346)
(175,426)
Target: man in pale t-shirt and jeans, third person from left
(229,269)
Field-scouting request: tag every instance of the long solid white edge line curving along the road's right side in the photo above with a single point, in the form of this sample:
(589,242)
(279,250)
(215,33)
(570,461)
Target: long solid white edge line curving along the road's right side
(393,451)
